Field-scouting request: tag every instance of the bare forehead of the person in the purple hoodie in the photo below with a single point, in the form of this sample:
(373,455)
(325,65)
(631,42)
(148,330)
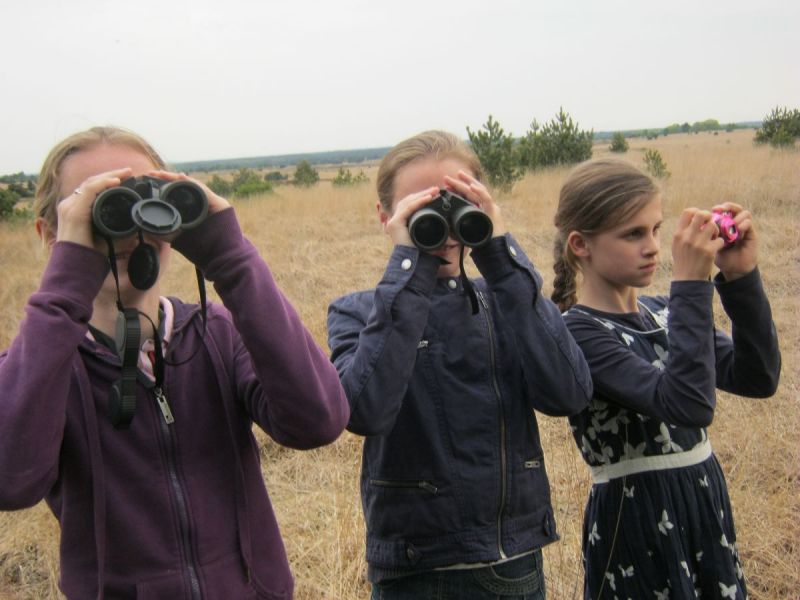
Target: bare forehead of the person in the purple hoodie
(101,158)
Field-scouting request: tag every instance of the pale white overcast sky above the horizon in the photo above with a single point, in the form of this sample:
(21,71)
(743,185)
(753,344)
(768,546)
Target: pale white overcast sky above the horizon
(209,79)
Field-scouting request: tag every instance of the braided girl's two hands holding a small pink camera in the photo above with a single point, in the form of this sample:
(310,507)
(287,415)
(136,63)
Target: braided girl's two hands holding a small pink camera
(723,236)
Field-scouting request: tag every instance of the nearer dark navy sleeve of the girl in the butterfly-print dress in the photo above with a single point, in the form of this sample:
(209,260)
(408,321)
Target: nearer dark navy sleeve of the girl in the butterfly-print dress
(680,389)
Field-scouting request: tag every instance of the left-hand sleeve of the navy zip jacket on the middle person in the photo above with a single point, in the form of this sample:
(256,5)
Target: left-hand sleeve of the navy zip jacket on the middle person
(374,338)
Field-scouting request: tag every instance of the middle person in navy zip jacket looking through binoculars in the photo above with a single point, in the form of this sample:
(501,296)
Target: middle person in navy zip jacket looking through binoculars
(453,482)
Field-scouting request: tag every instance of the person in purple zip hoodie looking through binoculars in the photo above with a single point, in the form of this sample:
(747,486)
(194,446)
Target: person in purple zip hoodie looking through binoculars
(174,506)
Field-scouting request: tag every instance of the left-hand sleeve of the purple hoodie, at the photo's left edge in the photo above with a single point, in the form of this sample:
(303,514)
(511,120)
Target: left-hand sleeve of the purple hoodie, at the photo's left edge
(36,373)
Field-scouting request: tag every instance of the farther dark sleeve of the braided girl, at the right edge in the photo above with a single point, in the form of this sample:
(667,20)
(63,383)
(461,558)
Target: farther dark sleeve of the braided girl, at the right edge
(750,363)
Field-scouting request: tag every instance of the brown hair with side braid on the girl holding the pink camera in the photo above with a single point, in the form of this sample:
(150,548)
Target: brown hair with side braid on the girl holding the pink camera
(596,195)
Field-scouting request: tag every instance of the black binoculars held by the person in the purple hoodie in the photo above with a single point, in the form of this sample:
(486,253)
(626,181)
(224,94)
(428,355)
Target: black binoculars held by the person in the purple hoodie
(149,204)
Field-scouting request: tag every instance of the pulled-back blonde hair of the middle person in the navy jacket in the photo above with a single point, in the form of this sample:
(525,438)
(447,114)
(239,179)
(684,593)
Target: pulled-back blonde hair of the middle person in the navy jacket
(435,144)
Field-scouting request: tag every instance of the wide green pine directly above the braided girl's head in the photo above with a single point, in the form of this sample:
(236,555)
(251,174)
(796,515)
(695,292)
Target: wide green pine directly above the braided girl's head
(559,142)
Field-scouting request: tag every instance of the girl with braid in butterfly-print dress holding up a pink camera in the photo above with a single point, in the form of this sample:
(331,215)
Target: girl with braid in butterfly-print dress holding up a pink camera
(658,522)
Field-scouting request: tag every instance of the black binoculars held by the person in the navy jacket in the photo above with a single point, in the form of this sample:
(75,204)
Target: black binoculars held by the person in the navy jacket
(448,214)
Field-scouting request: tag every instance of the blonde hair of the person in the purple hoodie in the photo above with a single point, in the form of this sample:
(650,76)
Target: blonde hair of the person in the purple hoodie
(49,184)
